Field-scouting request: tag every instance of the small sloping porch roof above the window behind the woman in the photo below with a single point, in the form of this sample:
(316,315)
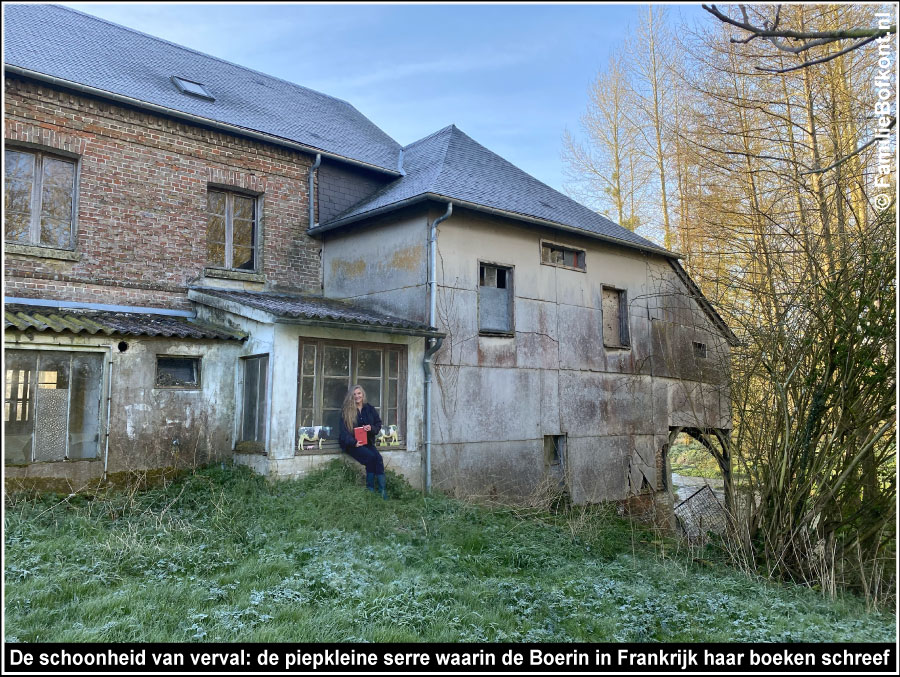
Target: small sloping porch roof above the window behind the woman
(315,309)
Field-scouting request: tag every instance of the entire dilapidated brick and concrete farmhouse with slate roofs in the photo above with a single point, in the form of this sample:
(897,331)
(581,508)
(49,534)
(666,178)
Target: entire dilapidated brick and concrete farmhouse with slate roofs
(200,259)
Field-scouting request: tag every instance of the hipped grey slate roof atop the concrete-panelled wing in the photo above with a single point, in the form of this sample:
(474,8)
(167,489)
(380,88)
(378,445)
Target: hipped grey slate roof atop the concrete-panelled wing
(450,165)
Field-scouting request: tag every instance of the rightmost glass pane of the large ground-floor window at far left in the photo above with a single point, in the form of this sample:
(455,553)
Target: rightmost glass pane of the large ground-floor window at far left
(84,406)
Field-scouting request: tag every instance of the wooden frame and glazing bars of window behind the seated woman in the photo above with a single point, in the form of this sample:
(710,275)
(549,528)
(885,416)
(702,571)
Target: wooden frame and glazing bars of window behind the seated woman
(318,386)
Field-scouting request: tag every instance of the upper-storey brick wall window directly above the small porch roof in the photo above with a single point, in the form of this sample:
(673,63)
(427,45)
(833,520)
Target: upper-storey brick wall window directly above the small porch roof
(232,230)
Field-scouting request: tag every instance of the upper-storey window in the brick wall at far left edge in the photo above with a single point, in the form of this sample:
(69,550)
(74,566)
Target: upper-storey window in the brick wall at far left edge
(39,199)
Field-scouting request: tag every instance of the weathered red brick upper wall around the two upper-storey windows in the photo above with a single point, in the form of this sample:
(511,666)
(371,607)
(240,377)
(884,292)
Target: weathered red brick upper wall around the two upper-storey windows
(141,224)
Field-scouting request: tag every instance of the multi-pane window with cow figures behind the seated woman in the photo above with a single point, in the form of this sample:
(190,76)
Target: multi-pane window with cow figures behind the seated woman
(326,371)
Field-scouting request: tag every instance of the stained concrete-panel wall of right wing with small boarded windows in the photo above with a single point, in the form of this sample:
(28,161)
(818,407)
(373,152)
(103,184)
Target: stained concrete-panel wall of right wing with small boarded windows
(498,397)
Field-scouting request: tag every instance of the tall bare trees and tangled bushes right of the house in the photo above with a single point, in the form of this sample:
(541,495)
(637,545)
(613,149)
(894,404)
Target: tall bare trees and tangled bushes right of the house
(770,167)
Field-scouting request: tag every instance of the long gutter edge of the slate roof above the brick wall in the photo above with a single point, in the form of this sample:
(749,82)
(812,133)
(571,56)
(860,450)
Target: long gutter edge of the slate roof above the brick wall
(196,119)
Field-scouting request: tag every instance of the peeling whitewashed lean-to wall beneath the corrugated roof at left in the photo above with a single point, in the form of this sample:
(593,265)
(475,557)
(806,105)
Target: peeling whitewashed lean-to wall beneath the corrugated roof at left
(149,427)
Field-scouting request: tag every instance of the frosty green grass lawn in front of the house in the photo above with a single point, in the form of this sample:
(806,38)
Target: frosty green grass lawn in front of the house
(223,555)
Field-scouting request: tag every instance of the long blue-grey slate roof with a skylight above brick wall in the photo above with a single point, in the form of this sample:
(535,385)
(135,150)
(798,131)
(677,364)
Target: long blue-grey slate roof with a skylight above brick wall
(80,48)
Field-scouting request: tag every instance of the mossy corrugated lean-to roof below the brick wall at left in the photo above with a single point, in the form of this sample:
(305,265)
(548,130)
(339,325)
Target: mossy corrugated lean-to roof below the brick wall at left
(107,322)
